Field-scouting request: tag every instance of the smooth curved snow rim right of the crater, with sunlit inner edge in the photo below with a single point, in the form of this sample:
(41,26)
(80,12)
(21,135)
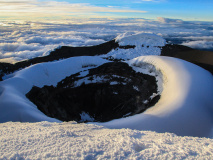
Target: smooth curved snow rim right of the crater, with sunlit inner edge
(185,106)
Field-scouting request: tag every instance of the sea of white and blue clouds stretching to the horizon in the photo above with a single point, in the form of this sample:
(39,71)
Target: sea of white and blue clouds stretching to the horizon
(20,40)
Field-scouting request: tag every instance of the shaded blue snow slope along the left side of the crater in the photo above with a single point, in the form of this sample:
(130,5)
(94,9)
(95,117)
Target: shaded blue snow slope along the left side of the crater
(14,106)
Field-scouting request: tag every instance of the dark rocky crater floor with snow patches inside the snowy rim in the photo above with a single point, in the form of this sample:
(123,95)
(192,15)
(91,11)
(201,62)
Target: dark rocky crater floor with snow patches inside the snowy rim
(110,91)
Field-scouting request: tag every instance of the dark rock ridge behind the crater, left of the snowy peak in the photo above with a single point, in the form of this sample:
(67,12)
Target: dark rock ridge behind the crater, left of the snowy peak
(60,53)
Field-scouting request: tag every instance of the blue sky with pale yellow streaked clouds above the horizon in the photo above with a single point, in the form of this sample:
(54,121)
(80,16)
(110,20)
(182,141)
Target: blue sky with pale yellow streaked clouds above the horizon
(196,10)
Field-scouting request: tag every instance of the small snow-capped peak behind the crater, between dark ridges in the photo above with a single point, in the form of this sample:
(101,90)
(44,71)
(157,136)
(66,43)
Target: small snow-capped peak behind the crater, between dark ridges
(145,44)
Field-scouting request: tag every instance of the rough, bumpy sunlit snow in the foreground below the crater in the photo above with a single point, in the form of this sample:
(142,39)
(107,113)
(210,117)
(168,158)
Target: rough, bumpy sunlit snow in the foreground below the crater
(45,140)
